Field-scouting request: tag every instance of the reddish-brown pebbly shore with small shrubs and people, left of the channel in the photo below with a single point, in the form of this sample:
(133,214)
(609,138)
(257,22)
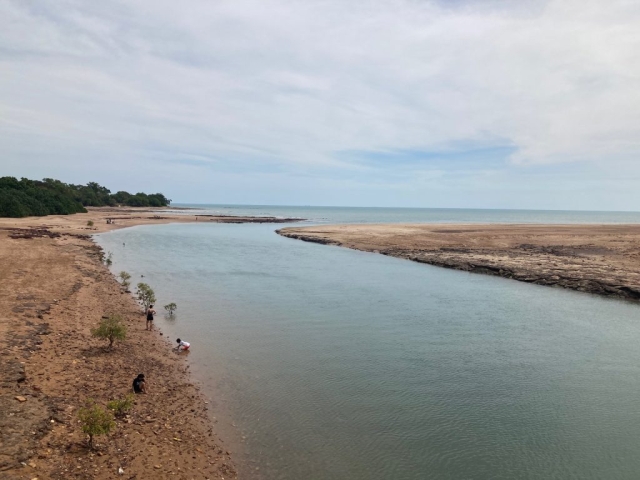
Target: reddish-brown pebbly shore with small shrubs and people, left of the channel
(55,289)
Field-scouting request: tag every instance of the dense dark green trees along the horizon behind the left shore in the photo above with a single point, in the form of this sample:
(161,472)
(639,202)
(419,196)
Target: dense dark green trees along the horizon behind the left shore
(24,197)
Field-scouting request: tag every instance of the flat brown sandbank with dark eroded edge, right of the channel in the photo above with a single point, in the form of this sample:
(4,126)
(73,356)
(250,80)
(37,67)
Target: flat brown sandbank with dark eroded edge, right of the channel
(601,259)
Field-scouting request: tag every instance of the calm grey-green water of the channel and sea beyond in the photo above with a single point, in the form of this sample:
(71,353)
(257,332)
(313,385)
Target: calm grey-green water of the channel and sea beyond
(328,363)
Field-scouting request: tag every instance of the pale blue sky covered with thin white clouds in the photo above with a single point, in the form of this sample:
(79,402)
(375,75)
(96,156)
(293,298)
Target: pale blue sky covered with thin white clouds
(400,103)
